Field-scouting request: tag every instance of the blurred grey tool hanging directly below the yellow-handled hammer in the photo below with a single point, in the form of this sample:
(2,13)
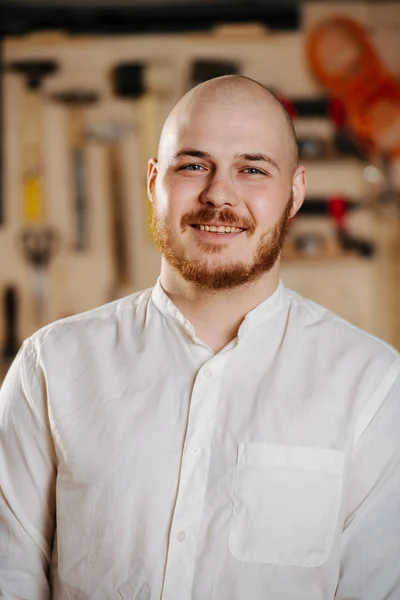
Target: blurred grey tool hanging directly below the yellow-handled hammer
(39,247)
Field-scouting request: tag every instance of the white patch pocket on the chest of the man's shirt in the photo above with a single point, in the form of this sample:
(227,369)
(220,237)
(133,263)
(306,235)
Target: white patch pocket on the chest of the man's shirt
(286,504)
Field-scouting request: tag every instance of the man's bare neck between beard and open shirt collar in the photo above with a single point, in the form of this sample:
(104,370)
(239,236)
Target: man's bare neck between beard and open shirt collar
(217,315)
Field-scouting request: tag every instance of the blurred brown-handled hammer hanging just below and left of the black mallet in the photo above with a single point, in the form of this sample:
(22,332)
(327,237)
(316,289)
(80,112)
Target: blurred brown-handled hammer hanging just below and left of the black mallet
(111,135)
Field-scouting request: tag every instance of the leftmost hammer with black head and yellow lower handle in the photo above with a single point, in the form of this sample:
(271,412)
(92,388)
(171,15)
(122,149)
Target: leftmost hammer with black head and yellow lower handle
(34,72)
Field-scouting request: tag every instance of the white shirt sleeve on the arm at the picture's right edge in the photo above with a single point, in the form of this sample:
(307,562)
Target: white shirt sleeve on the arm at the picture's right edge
(370,553)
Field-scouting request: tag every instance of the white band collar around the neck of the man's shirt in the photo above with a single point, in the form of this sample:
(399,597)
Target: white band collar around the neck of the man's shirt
(262,312)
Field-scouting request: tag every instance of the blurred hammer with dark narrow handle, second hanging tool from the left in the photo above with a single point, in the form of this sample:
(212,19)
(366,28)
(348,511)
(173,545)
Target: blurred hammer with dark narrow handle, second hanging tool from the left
(77,101)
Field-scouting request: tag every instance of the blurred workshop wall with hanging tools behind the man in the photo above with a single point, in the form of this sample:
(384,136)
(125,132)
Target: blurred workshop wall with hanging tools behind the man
(84,90)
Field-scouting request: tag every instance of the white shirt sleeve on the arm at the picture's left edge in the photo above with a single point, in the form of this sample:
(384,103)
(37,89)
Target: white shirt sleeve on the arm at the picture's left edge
(27,482)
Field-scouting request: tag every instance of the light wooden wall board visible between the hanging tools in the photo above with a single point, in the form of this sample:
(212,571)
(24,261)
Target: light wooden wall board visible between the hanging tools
(363,290)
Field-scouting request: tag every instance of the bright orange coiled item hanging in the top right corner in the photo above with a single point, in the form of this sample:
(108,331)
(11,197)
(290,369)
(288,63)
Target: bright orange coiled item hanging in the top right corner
(345,61)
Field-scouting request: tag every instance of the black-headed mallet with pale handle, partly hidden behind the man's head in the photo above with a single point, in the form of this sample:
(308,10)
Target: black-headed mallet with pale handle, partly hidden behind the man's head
(144,84)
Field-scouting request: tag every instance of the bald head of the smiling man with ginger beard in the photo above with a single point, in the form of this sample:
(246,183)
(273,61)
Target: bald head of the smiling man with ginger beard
(227,157)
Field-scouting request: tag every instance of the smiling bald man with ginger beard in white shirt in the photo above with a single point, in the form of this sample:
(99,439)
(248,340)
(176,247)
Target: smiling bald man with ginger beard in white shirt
(215,437)
